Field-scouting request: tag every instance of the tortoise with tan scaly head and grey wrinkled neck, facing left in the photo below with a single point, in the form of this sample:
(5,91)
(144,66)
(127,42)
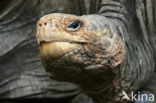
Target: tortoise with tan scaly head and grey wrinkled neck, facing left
(108,55)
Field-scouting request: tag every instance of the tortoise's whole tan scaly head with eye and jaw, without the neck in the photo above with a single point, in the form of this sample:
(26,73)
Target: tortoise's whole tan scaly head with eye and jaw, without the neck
(73,48)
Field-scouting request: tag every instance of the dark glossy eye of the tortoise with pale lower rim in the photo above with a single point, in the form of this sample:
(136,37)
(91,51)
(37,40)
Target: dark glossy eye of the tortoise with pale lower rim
(75,25)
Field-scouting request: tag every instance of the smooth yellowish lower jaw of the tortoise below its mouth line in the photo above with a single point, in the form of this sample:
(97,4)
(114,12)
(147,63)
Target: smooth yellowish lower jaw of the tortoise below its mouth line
(57,49)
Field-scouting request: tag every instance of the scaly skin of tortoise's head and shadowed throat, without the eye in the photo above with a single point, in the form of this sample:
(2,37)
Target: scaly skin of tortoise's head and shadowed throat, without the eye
(90,57)
